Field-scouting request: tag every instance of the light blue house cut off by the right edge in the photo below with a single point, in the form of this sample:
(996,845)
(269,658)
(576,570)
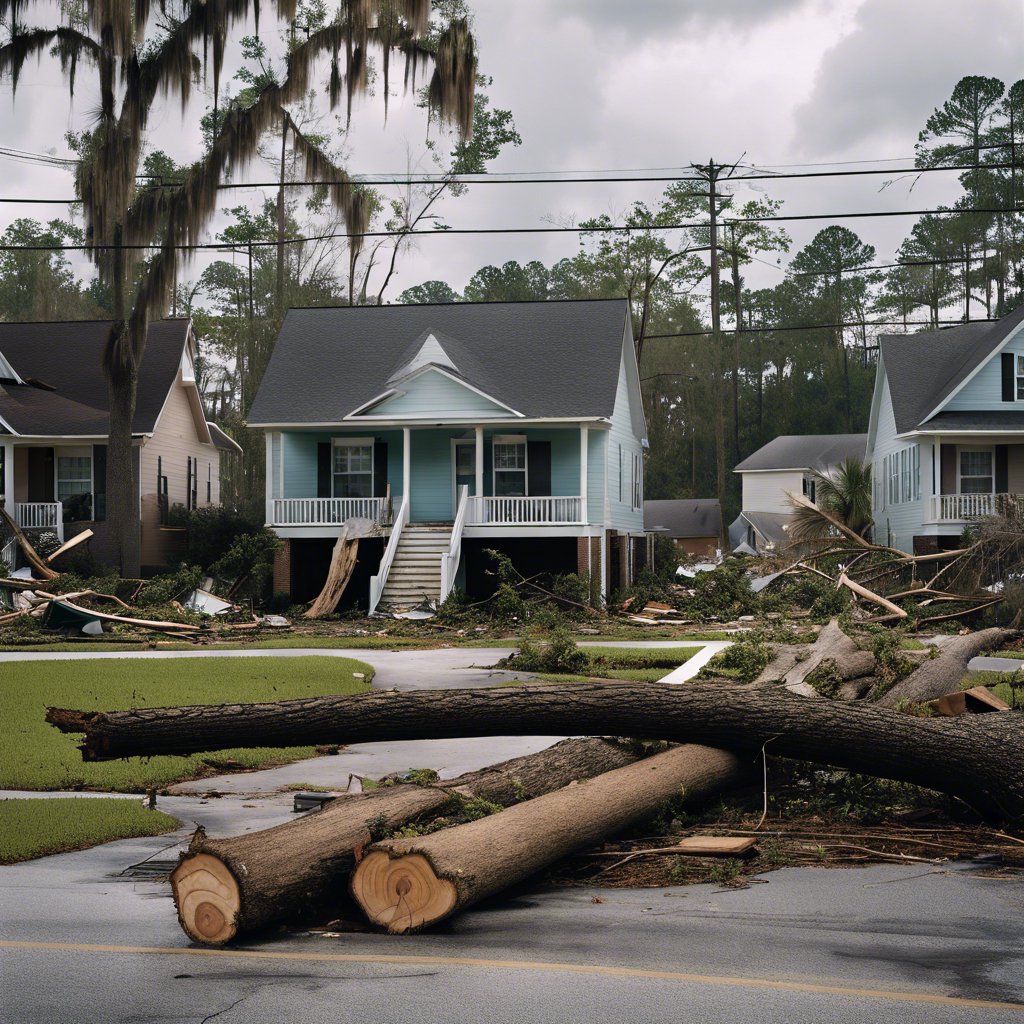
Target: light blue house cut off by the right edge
(947,434)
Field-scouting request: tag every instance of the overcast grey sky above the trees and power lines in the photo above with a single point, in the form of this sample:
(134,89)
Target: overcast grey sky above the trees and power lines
(604,86)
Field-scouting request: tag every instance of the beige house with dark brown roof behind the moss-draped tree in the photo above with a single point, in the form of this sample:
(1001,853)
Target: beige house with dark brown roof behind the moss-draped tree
(54,425)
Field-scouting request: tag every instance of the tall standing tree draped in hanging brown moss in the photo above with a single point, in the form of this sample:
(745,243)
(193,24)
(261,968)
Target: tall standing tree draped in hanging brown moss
(136,236)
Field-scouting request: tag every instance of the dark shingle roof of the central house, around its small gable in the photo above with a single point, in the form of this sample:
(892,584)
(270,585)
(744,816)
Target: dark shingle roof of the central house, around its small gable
(541,359)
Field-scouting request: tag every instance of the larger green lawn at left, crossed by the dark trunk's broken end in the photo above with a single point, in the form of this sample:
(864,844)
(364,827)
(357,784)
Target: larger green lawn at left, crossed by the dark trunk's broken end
(35,756)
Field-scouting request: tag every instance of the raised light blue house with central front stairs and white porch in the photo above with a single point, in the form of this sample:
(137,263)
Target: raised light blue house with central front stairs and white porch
(517,426)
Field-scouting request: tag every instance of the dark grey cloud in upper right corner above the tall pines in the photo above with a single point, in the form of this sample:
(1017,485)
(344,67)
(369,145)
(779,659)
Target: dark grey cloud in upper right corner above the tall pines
(877,87)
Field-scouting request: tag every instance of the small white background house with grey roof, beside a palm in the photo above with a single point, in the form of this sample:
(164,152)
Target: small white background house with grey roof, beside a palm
(790,464)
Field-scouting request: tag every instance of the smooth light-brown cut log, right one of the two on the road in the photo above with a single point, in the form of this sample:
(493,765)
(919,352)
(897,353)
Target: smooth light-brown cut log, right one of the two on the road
(409,884)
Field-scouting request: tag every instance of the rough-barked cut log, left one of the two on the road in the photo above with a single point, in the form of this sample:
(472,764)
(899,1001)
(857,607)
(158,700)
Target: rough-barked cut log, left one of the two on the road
(229,886)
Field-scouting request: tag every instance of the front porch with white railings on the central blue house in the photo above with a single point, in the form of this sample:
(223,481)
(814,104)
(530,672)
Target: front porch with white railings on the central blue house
(537,479)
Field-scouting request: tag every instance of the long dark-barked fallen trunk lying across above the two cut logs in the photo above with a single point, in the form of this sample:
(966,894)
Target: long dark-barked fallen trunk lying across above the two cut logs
(977,759)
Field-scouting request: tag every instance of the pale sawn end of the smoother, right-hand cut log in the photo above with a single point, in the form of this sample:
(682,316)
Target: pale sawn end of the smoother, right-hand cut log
(402,894)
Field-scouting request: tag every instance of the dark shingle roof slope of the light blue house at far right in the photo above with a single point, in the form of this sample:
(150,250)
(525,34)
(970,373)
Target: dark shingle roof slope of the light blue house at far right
(925,369)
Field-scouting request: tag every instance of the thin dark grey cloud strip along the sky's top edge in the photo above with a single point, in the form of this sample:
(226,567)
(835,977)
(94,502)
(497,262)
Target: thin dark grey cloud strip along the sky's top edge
(656,18)
